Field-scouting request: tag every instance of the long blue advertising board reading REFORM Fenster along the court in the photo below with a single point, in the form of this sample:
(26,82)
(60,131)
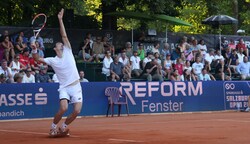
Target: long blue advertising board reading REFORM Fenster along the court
(40,100)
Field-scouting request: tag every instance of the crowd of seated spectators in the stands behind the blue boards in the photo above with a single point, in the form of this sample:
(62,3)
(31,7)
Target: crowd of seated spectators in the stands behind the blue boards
(190,60)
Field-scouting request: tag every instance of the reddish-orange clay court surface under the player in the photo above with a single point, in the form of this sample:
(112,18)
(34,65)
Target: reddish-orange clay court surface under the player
(196,128)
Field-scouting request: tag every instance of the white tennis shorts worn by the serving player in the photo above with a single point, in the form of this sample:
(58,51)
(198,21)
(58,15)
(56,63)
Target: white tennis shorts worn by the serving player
(72,93)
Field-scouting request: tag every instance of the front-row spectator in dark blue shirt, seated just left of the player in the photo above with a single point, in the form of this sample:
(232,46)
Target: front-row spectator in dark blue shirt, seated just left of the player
(42,76)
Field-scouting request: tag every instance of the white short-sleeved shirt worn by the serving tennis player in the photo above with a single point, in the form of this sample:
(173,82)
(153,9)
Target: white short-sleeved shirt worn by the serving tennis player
(65,67)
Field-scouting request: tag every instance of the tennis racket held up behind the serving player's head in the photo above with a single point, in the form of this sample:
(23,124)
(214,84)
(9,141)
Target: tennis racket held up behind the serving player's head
(38,23)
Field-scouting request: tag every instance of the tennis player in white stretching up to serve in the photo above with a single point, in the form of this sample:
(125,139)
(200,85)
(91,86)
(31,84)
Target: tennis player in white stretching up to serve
(70,90)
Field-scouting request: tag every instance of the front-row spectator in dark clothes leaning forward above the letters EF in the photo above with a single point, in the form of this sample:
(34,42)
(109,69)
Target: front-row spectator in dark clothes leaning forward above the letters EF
(152,72)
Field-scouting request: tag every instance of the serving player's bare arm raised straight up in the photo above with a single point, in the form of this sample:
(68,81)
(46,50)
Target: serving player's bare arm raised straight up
(62,29)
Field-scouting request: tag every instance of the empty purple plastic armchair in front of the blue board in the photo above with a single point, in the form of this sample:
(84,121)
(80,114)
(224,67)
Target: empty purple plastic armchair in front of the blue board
(115,98)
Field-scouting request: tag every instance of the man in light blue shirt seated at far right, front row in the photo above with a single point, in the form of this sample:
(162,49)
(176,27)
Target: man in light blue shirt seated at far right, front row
(243,69)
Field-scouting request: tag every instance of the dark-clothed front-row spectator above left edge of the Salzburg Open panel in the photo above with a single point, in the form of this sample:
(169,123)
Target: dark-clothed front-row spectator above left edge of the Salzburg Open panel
(220,70)
